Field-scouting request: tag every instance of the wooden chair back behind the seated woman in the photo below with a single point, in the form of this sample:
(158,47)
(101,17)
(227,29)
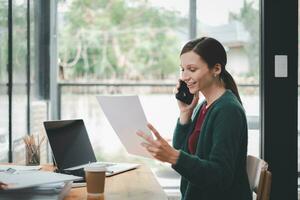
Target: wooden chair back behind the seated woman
(259,177)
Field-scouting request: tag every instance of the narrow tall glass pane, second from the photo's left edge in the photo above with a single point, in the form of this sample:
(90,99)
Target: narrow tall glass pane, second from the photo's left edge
(19,106)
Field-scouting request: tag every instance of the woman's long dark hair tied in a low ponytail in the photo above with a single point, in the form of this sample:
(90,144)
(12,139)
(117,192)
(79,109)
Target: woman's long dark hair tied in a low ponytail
(213,52)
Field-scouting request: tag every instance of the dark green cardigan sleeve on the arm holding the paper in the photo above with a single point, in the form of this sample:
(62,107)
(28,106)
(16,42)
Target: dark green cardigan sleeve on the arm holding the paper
(219,169)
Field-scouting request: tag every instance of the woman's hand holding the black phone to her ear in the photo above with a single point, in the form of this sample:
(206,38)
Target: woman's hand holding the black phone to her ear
(186,110)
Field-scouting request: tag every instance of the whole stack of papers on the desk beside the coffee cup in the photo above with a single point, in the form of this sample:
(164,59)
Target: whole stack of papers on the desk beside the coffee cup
(34,184)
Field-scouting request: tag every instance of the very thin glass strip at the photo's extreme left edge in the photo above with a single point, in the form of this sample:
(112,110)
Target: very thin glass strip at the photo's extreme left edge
(3,81)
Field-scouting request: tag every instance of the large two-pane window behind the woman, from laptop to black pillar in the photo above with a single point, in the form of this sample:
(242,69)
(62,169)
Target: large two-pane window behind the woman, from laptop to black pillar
(132,47)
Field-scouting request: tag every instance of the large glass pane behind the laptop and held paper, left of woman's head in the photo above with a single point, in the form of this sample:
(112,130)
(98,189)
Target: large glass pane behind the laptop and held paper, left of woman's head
(127,41)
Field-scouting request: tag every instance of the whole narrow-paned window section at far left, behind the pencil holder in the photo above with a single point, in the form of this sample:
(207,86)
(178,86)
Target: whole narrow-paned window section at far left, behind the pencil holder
(25,114)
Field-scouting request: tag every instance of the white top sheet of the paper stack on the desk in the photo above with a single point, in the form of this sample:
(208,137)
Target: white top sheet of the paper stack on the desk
(26,179)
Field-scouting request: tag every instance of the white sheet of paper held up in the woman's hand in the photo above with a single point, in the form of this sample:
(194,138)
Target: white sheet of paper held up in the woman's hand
(126,116)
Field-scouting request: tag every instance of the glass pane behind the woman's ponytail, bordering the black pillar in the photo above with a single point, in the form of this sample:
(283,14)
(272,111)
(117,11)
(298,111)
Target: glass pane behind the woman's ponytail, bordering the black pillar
(236,25)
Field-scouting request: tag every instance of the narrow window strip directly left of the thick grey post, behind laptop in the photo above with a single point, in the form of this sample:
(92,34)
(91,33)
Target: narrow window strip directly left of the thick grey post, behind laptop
(38,106)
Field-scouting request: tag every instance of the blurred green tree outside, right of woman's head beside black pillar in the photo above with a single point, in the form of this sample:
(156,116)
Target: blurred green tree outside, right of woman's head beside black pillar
(249,17)
